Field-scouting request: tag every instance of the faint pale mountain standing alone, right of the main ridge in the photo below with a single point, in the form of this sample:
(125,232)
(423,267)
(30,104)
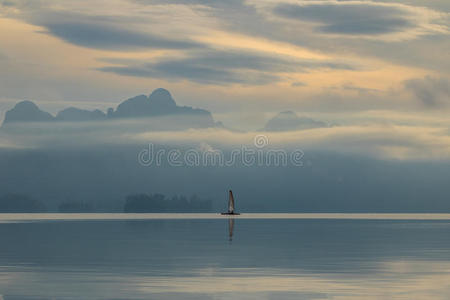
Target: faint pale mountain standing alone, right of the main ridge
(288,120)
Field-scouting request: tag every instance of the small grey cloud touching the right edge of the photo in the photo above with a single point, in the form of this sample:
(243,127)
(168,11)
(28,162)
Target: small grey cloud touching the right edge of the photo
(432,92)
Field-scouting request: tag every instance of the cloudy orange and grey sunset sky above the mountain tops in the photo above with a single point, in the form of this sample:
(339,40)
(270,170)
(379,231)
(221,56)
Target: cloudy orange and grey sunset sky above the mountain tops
(352,63)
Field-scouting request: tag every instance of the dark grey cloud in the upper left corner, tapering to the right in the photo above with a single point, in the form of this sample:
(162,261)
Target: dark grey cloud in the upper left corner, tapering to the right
(111,32)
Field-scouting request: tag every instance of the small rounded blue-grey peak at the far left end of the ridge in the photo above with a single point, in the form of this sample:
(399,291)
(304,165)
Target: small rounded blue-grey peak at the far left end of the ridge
(26,111)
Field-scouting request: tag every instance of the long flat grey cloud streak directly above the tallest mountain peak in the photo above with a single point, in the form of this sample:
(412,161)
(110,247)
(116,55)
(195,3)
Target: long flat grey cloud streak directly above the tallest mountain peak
(220,67)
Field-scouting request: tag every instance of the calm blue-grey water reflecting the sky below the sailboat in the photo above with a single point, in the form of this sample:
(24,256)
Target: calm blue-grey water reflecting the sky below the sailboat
(270,256)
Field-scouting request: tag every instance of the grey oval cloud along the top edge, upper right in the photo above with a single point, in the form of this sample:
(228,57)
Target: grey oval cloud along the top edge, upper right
(357,18)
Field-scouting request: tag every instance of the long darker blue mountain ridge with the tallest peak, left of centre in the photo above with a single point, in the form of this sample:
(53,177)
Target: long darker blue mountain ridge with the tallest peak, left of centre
(159,104)
